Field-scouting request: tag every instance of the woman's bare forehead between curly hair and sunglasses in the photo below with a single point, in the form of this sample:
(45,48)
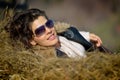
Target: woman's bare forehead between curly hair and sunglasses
(41,20)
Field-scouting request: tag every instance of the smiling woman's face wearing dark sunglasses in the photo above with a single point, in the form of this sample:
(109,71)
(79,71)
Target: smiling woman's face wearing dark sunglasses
(43,35)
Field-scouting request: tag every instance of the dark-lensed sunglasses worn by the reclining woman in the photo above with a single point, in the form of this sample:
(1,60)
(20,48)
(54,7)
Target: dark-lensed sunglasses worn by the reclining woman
(41,29)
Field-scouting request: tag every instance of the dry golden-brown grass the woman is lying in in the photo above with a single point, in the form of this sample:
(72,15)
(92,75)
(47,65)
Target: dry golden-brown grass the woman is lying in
(20,64)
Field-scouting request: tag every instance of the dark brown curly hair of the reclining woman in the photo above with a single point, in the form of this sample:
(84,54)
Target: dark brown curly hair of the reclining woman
(19,26)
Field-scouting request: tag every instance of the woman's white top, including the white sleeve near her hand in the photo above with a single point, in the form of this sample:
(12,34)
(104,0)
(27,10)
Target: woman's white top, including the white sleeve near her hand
(71,48)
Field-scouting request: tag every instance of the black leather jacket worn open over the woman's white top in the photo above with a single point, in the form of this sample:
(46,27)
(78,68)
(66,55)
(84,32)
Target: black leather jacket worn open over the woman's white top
(73,34)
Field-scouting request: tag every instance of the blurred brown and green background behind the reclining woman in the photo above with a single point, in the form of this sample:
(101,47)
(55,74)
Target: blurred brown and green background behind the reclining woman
(101,17)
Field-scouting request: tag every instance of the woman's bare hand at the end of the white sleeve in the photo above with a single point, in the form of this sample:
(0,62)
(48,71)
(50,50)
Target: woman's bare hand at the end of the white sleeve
(95,39)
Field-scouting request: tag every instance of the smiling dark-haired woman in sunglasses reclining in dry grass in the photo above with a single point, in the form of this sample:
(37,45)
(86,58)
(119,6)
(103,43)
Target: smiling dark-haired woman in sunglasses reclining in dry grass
(33,28)
